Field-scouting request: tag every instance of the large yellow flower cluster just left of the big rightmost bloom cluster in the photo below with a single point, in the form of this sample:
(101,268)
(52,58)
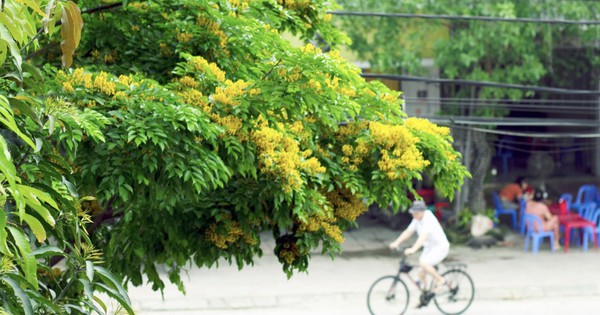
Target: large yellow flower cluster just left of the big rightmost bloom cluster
(280,156)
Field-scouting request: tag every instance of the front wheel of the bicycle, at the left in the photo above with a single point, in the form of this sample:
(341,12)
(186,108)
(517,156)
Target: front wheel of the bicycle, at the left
(388,295)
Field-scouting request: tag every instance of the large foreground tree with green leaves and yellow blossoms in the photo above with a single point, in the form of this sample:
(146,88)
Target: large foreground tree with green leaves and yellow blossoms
(188,128)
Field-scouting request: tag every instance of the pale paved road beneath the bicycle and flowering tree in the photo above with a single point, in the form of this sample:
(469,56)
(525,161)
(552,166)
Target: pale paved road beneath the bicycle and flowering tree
(508,281)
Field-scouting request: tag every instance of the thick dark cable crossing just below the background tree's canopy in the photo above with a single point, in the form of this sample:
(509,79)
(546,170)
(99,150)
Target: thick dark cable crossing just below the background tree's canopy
(482,84)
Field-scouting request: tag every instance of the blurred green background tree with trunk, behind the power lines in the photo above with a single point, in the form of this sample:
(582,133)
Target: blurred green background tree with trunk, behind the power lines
(518,53)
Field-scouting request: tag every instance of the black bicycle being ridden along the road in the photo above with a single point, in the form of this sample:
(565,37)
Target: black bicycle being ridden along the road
(389,294)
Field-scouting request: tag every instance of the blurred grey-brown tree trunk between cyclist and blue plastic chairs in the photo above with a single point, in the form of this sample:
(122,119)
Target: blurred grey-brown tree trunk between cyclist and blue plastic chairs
(481,159)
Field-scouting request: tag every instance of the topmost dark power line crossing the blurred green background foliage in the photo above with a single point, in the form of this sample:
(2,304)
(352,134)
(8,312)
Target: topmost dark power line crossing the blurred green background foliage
(468,18)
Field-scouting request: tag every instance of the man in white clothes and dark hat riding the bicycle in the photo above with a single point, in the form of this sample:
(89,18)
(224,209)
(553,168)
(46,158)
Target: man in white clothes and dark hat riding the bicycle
(431,237)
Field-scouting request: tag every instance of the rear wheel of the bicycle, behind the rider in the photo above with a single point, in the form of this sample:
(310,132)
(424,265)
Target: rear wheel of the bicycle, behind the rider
(458,295)
